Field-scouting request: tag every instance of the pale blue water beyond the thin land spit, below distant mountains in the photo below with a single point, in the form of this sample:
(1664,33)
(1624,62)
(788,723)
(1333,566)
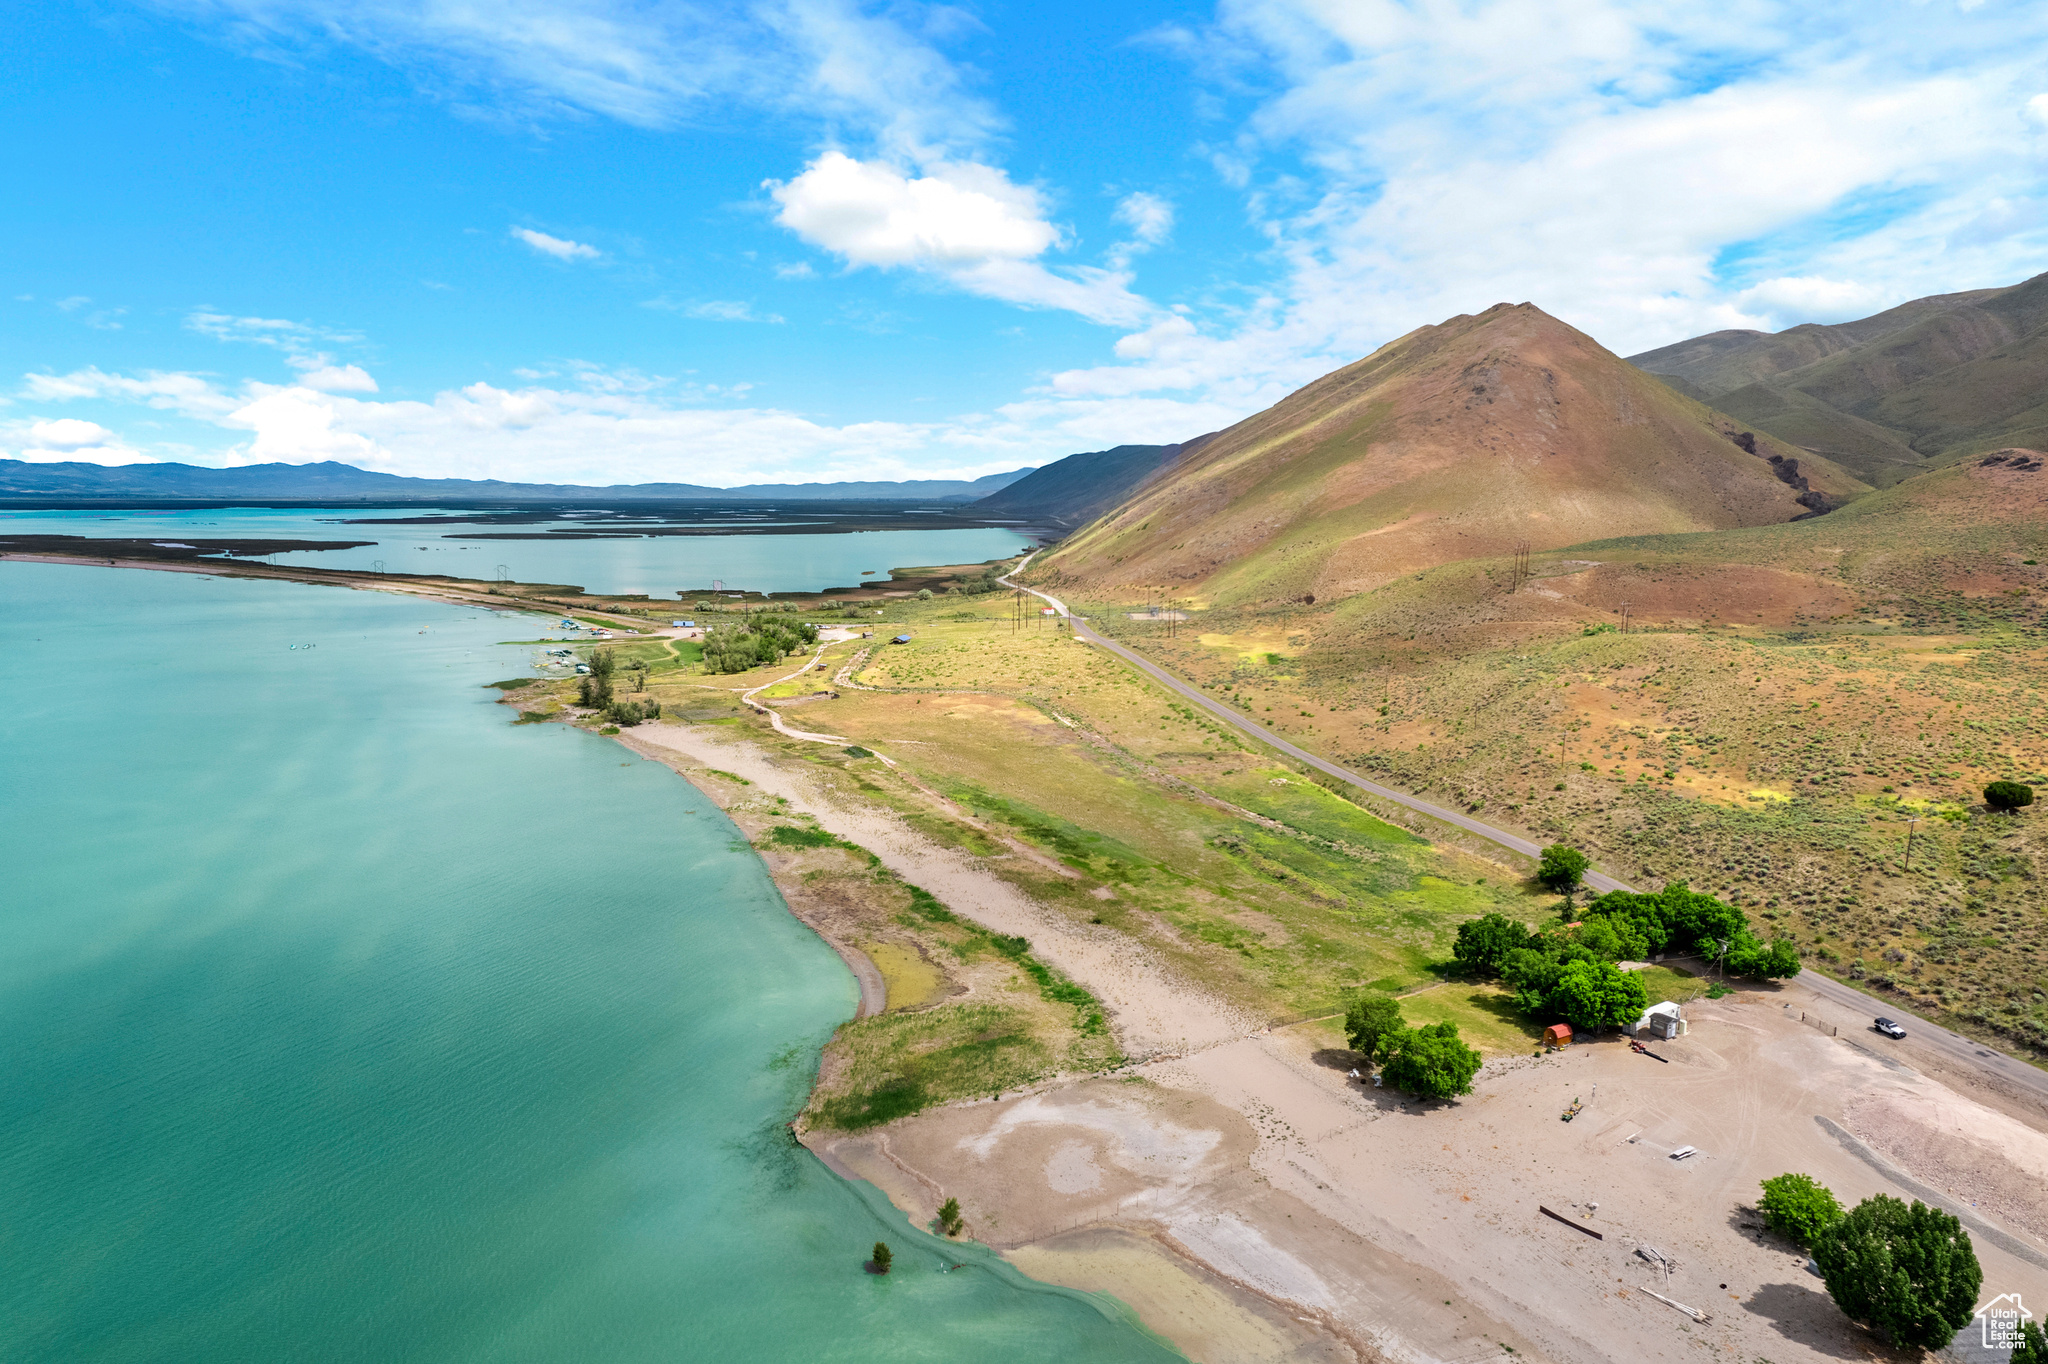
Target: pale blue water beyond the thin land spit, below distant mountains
(654,566)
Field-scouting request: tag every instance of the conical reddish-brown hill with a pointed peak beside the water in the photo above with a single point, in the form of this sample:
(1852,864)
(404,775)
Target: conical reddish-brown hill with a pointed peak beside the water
(1453,443)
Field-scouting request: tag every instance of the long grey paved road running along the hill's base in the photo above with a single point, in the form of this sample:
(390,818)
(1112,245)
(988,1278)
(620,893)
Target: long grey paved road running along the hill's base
(1951,1046)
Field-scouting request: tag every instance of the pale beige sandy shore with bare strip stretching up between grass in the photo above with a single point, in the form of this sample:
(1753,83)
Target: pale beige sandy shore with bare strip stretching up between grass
(1252,1203)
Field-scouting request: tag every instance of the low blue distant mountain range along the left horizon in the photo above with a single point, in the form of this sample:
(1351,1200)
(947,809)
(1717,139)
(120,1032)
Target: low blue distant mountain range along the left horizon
(335,482)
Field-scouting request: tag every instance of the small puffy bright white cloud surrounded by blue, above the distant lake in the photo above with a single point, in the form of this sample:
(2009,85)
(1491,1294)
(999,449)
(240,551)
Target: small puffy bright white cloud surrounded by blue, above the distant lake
(964,222)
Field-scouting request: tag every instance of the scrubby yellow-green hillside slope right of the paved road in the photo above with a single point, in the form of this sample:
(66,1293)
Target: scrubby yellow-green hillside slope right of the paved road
(1787,699)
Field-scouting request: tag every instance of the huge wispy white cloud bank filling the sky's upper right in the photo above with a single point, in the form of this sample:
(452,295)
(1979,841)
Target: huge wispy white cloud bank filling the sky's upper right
(1641,171)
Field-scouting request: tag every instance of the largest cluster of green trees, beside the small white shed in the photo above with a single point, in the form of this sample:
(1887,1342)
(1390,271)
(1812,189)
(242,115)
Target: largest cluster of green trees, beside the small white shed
(1570,970)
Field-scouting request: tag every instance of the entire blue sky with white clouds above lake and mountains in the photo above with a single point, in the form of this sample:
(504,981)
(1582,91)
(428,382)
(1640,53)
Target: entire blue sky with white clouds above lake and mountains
(810,239)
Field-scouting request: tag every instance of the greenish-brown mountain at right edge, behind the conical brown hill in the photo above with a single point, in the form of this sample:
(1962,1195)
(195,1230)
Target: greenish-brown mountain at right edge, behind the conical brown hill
(1949,376)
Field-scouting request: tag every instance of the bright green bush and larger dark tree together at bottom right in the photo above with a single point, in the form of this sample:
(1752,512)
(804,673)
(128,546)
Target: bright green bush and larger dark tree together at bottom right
(1906,1271)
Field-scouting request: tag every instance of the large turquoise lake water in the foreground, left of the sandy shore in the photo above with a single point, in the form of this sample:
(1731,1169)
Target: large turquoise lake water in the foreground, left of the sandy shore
(345,1021)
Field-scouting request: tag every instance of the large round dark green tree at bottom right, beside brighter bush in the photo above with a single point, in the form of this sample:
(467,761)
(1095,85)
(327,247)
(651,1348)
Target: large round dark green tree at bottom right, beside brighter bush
(1908,1273)
